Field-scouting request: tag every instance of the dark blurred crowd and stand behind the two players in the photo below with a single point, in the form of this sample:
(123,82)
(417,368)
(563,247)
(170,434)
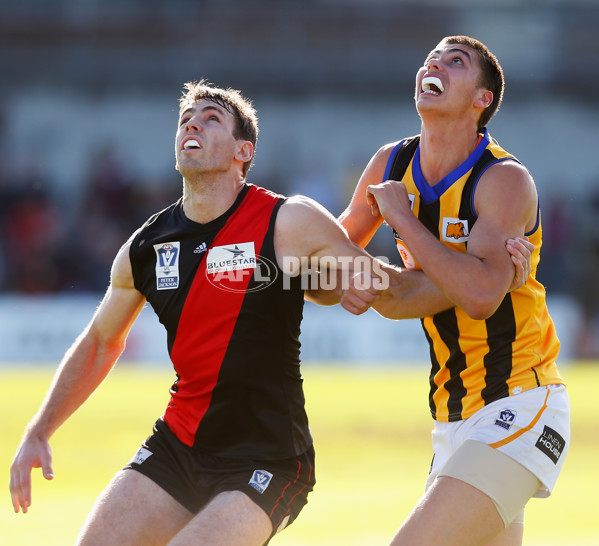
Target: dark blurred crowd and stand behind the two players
(88,111)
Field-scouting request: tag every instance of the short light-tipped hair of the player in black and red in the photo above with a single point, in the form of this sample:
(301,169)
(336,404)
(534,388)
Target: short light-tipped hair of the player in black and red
(246,119)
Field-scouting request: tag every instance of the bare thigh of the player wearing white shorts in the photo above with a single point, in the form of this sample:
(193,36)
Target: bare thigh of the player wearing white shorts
(452,512)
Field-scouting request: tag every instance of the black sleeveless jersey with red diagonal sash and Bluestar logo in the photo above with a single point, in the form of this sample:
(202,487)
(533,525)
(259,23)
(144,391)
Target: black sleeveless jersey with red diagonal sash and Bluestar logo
(233,324)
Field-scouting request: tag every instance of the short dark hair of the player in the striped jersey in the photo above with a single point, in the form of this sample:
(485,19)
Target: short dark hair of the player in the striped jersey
(491,74)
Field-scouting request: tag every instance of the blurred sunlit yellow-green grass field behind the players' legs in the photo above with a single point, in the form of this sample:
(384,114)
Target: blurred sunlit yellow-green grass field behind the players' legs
(371,429)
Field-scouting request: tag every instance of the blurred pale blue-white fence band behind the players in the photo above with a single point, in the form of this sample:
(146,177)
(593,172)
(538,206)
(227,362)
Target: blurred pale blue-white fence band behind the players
(40,329)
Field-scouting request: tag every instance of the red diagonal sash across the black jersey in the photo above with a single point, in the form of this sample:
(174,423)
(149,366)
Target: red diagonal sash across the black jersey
(209,317)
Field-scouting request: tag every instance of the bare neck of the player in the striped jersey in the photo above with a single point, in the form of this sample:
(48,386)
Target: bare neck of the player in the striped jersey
(444,147)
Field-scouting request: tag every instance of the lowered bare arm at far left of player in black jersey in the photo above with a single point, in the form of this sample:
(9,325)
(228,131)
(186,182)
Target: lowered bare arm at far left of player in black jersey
(81,371)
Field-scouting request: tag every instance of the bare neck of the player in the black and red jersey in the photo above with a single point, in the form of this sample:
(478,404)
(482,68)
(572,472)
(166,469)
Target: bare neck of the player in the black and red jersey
(205,201)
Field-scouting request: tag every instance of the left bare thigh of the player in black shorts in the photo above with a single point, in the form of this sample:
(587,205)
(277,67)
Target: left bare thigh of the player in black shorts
(133,510)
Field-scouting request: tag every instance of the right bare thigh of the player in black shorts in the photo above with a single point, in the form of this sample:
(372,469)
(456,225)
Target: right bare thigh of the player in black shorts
(229,519)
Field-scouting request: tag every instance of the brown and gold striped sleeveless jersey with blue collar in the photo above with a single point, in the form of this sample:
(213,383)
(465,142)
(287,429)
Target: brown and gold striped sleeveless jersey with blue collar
(475,362)
